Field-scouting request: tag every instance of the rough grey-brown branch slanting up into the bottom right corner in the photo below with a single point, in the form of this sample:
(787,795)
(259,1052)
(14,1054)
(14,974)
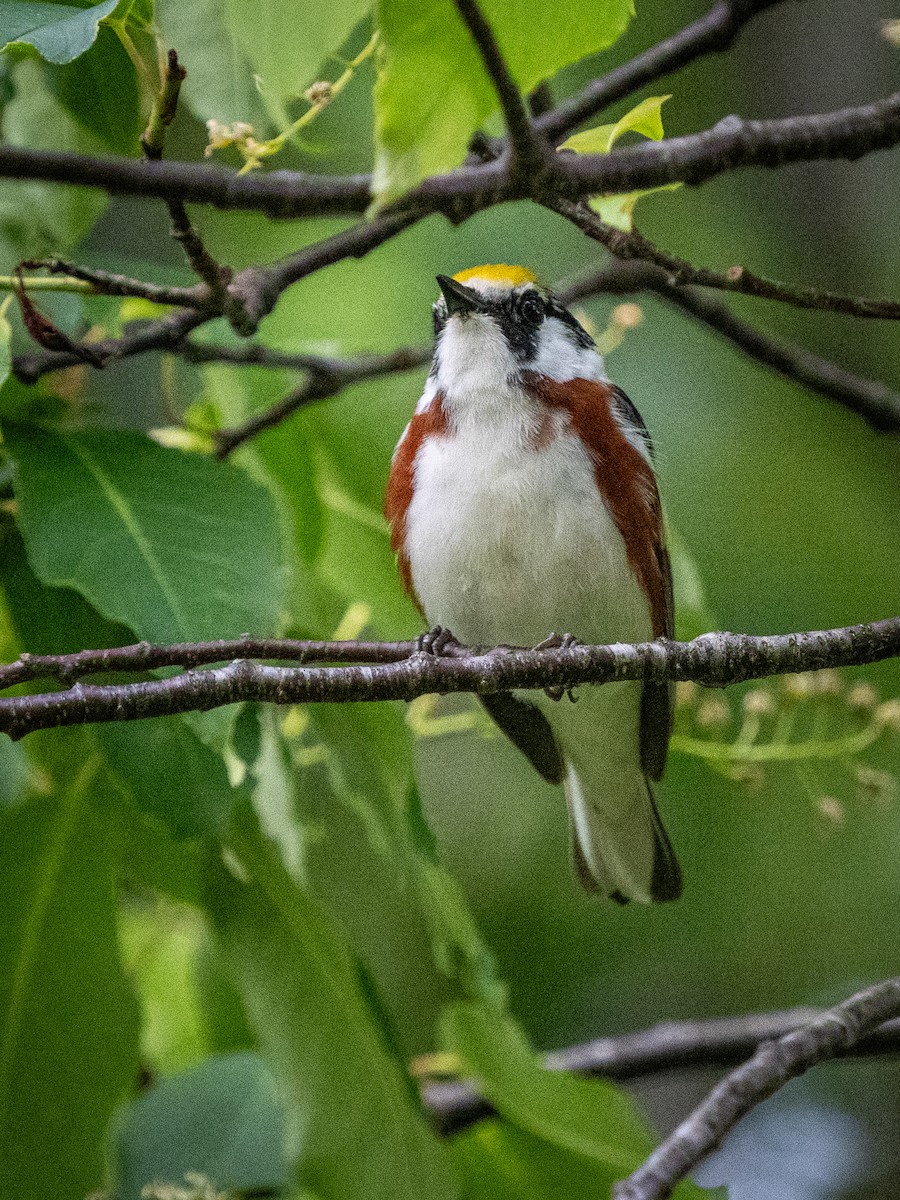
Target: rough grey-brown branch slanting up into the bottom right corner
(773,1066)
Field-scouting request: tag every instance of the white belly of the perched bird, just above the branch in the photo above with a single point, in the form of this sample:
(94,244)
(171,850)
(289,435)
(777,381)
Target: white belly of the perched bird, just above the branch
(508,544)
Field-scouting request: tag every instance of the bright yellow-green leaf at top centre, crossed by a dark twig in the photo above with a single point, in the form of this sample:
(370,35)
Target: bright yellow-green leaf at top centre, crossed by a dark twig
(433,89)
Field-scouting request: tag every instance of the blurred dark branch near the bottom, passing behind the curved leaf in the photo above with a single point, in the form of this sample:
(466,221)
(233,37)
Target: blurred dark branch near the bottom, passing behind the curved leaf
(676,1046)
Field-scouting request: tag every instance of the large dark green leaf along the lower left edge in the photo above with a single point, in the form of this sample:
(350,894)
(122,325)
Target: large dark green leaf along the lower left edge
(68,1021)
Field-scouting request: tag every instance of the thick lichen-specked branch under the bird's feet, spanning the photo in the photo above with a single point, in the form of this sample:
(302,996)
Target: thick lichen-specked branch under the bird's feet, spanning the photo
(715,659)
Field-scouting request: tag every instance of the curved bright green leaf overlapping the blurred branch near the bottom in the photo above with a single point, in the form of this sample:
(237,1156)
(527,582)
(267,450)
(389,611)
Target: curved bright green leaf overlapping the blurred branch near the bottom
(592,1123)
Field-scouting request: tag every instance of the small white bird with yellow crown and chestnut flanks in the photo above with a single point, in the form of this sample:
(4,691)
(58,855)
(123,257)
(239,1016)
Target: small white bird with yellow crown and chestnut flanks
(523,500)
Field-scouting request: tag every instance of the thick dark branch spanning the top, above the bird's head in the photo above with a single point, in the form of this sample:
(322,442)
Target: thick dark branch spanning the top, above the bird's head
(733,143)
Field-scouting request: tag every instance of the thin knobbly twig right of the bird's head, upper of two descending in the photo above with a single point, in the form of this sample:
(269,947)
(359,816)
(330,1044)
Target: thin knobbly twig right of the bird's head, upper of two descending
(633,245)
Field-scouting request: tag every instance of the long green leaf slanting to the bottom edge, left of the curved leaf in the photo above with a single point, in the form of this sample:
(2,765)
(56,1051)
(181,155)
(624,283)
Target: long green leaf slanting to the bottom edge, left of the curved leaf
(353,1124)
